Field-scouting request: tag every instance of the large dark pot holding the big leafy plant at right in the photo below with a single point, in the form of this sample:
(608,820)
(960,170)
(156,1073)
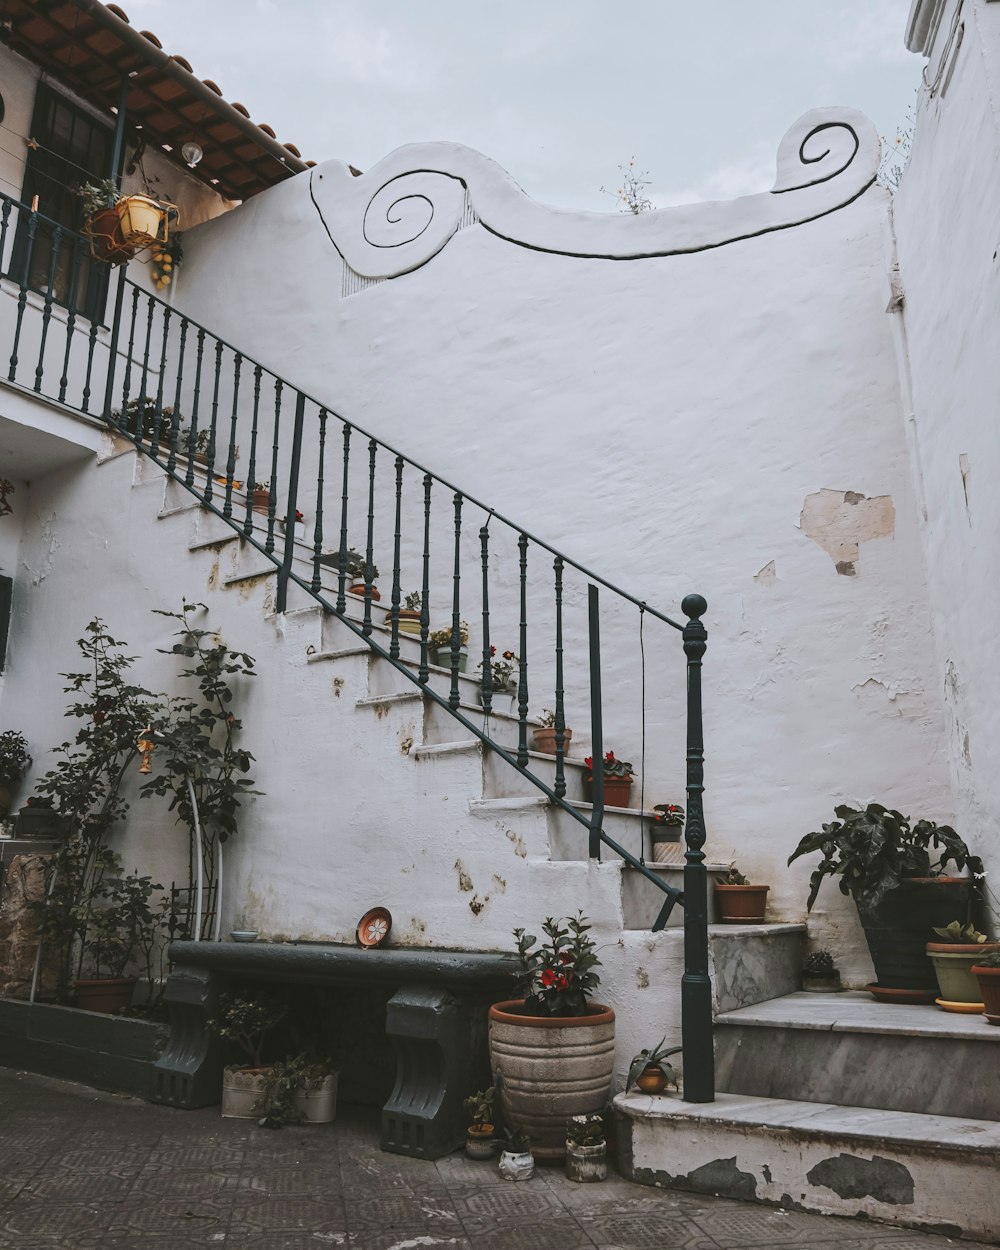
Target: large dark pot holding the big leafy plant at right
(898,933)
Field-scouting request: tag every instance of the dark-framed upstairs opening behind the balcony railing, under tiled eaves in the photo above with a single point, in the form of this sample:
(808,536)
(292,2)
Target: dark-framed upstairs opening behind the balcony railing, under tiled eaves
(73,148)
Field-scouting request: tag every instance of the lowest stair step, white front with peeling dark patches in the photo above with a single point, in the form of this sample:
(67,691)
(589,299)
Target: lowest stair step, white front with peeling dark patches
(917,1171)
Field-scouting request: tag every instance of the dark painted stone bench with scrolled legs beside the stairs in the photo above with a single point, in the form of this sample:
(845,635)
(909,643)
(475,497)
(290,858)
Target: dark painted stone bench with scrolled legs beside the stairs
(436,1019)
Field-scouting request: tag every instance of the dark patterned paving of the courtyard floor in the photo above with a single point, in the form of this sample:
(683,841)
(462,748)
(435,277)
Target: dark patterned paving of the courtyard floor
(84,1171)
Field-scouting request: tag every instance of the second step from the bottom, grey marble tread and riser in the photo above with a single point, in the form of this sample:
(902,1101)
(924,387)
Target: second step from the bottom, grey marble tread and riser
(848,1048)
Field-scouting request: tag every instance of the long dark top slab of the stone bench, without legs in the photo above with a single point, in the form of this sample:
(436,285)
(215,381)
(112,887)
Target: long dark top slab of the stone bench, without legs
(334,962)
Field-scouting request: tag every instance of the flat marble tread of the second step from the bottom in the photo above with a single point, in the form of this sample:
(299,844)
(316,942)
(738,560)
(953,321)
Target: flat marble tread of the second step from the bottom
(857,1012)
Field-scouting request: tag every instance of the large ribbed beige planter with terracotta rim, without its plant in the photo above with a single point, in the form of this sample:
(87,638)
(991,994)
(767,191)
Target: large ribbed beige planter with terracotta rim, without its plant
(552,1068)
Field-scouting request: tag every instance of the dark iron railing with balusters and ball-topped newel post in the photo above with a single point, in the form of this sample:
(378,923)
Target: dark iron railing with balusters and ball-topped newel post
(261,453)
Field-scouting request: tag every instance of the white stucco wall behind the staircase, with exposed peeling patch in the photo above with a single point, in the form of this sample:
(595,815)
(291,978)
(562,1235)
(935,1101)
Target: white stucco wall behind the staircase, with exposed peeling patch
(667,422)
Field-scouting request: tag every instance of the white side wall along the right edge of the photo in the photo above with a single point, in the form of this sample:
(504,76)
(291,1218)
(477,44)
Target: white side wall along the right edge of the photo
(947,219)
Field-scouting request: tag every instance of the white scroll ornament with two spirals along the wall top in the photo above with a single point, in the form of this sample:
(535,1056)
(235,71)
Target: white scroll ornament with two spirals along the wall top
(398,216)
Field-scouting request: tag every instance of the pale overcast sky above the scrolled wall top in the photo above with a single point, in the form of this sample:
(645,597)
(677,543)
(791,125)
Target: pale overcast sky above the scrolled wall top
(558,92)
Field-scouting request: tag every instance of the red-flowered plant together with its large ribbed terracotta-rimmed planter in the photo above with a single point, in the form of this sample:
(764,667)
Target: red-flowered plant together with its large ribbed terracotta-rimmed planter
(554,1049)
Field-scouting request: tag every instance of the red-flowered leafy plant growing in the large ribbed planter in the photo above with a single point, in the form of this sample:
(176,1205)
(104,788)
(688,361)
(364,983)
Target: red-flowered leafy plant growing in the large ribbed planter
(561,974)
